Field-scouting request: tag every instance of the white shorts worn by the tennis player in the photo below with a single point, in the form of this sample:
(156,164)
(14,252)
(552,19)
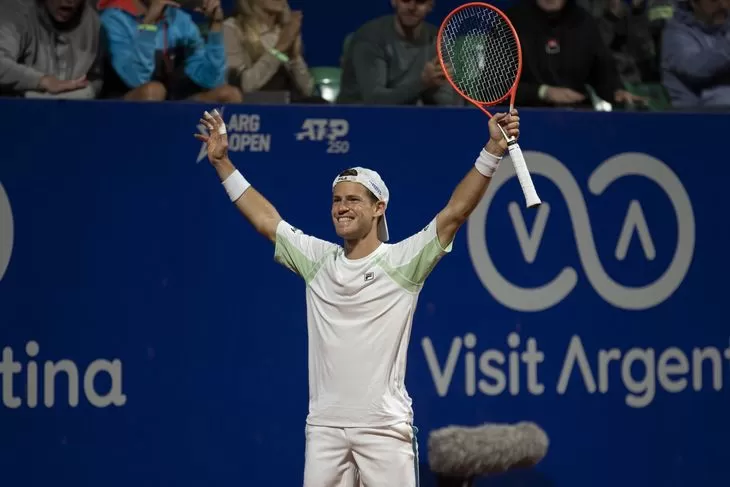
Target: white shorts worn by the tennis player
(361,457)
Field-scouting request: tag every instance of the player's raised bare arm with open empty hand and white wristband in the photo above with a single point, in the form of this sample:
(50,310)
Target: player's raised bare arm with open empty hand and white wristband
(252,204)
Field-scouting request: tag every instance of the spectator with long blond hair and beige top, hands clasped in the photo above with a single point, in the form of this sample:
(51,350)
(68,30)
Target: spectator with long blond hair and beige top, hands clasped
(264,50)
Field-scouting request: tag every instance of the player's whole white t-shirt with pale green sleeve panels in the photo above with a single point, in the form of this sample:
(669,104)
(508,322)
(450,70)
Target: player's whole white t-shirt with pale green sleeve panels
(359,318)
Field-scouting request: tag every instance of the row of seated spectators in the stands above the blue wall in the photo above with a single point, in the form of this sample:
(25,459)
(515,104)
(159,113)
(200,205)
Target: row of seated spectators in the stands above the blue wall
(624,52)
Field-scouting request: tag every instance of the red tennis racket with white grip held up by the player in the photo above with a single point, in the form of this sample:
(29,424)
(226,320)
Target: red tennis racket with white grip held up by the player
(481,57)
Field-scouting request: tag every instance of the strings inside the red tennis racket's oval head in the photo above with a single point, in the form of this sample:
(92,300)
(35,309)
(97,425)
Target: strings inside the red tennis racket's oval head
(480,53)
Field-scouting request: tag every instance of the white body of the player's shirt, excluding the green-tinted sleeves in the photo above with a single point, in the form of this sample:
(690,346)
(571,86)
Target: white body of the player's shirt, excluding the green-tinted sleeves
(358,322)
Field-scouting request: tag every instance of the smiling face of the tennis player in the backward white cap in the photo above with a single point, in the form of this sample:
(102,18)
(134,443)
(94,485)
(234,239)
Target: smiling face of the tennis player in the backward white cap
(353,210)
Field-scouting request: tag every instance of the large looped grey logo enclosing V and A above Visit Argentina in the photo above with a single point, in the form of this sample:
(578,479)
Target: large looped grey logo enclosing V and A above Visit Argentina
(551,293)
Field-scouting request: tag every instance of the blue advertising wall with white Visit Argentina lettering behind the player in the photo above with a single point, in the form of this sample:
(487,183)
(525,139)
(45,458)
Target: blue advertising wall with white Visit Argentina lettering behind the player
(149,338)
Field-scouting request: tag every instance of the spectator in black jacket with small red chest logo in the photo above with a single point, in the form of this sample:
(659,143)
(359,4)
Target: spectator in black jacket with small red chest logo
(562,53)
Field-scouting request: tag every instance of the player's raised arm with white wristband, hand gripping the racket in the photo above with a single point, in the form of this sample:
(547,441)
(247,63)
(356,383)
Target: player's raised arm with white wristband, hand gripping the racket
(471,189)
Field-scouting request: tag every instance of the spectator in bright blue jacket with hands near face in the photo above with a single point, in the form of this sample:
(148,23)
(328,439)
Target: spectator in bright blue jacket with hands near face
(156,52)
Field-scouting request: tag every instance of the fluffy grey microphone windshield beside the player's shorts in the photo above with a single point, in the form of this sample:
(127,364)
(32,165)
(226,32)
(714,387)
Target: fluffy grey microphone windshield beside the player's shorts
(468,452)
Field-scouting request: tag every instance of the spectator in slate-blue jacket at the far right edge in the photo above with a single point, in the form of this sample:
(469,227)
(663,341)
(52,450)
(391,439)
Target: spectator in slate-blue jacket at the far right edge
(696,54)
